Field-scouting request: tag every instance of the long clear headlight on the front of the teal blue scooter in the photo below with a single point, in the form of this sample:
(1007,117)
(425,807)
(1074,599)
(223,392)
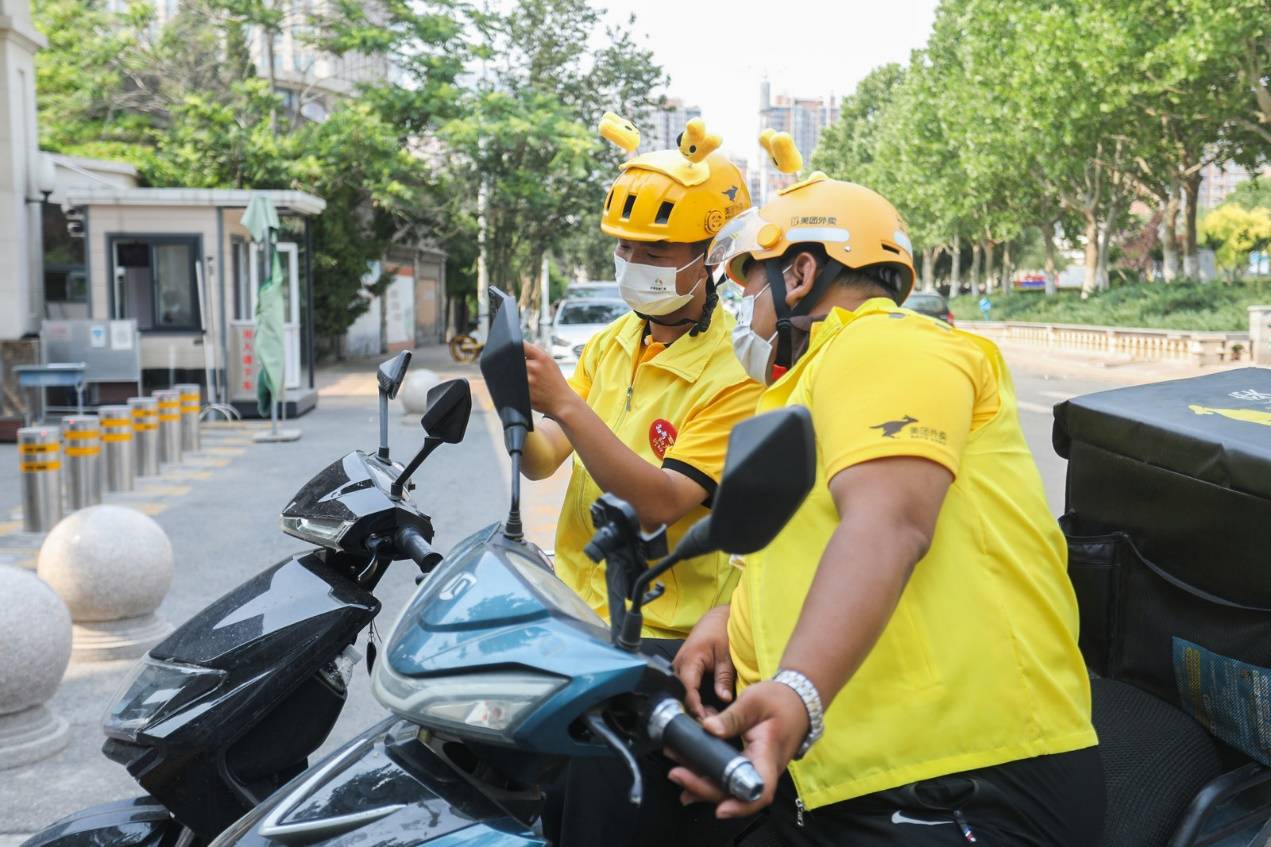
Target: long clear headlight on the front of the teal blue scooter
(484,703)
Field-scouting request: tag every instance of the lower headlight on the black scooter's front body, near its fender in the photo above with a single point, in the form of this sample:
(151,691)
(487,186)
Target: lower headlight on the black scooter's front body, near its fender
(153,691)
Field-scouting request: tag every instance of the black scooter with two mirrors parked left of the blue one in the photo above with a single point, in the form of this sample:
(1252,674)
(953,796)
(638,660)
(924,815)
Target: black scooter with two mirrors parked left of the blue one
(231,706)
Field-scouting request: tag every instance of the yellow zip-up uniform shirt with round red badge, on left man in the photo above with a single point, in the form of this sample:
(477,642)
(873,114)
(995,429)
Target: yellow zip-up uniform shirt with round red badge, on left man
(674,406)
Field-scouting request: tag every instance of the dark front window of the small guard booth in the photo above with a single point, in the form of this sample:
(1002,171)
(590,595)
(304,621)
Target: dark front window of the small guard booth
(156,282)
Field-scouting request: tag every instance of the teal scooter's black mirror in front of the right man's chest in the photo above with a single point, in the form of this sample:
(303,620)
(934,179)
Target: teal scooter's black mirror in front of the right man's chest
(770,470)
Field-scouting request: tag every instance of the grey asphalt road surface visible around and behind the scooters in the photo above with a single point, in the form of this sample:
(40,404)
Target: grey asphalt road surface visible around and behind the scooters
(224,530)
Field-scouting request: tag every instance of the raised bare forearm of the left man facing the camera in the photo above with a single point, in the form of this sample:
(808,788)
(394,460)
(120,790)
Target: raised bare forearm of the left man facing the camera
(616,467)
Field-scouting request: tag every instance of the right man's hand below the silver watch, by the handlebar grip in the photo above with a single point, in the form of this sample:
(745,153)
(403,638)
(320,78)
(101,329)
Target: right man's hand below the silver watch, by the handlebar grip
(773,723)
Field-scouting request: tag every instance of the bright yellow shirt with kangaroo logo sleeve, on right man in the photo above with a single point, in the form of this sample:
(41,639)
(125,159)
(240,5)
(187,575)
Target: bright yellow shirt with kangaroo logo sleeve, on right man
(979,666)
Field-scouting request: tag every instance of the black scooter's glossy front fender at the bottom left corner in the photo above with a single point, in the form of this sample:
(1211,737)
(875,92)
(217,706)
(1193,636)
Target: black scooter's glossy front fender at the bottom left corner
(142,822)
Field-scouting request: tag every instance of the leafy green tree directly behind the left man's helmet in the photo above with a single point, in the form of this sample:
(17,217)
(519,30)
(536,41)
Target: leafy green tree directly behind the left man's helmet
(527,134)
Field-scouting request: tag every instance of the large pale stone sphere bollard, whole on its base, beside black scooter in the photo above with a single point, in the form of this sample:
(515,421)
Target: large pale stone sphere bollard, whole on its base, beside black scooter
(112,568)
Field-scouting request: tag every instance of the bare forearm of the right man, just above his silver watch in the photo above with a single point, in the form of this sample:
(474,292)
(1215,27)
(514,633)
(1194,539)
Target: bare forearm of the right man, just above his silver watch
(855,593)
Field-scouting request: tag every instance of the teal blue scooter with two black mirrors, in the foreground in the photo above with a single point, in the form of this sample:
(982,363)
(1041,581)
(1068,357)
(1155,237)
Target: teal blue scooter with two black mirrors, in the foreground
(498,675)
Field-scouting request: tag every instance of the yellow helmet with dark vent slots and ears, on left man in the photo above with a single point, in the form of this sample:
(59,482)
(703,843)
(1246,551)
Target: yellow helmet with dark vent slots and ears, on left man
(683,196)
